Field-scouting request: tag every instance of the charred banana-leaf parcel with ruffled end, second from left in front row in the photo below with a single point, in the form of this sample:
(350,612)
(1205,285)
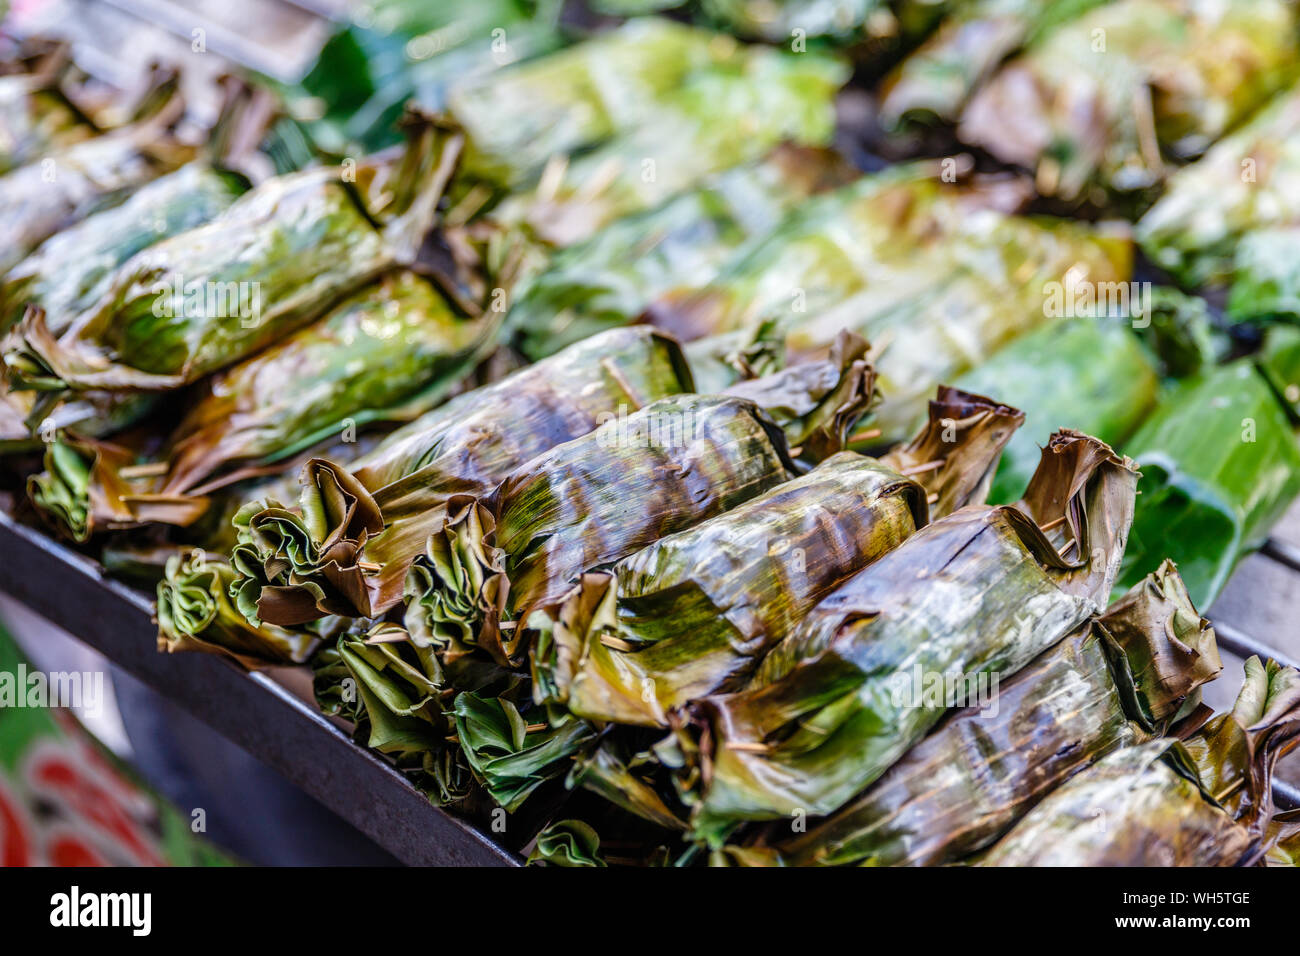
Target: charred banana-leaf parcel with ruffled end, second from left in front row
(586,504)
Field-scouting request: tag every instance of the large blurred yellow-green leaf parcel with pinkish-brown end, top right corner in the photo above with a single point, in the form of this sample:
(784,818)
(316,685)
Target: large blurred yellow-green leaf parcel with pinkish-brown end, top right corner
(1104,100)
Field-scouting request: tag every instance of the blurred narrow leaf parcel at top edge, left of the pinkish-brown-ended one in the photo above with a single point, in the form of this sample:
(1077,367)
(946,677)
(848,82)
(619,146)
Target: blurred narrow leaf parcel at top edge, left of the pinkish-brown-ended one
(938,79)
